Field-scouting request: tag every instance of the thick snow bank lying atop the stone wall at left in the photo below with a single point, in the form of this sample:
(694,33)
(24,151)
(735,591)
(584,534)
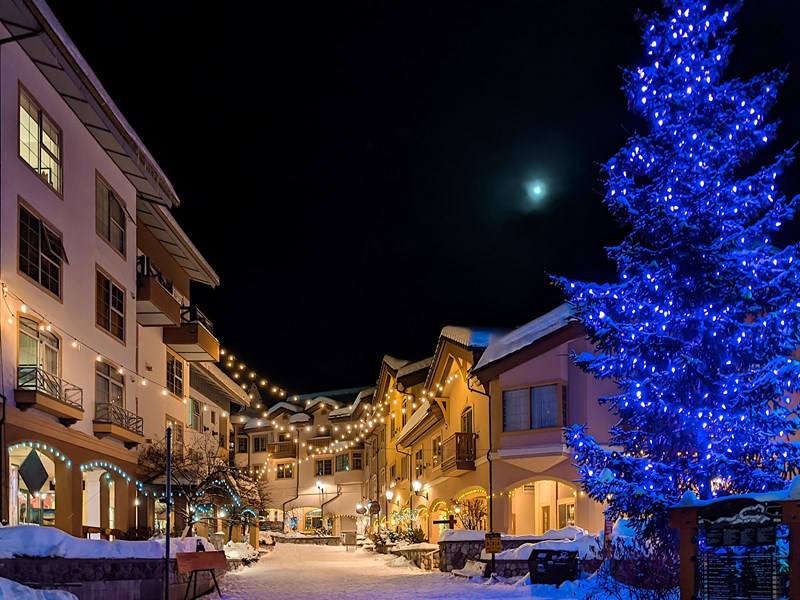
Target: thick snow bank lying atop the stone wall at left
(32,540)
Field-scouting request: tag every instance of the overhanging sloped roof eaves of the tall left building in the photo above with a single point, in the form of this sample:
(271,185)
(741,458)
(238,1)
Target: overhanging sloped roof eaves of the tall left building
(60,62)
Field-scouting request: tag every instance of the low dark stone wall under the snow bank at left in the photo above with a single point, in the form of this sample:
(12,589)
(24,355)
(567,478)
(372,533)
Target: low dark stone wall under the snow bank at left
(101,579)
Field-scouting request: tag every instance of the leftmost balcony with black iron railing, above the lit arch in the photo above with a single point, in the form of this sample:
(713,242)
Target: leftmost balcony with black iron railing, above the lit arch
(36,388)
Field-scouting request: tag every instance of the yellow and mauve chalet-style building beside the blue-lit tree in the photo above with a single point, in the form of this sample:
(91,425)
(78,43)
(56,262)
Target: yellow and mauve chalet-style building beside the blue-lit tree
(474,434)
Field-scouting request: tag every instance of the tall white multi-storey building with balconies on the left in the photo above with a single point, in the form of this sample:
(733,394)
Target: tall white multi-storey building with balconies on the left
(98,334)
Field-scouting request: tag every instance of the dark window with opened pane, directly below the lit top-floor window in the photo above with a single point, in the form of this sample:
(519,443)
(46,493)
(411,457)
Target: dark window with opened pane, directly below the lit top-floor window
(41,252)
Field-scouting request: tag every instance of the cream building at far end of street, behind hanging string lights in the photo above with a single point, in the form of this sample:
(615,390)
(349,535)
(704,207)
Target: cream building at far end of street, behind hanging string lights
(311,451)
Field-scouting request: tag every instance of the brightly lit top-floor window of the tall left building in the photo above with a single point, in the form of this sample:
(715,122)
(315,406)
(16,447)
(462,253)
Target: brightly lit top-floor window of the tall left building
(39,141)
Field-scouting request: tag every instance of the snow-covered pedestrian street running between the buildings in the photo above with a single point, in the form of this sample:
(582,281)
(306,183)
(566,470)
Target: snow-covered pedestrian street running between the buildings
(293,571)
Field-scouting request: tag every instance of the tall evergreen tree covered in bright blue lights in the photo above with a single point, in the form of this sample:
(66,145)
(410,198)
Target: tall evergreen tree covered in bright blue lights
(701,329)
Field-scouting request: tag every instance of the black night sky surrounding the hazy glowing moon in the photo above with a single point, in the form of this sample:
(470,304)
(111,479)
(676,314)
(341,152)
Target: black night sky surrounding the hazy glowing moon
(355,172)
